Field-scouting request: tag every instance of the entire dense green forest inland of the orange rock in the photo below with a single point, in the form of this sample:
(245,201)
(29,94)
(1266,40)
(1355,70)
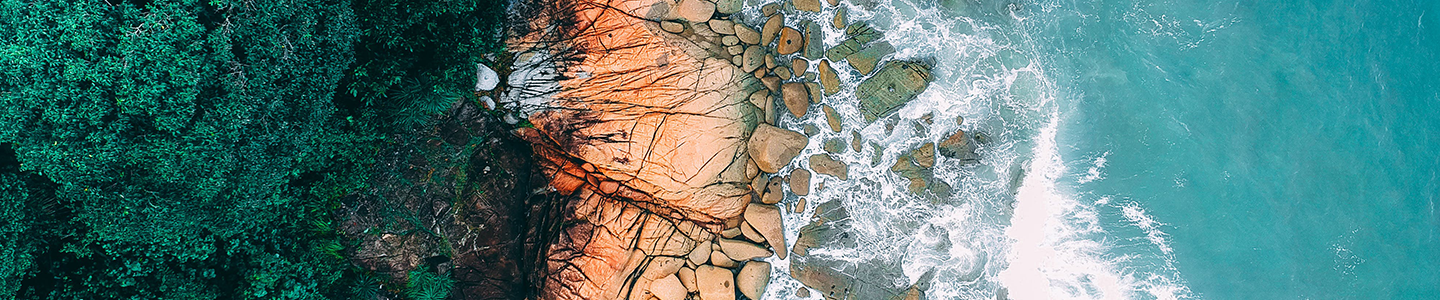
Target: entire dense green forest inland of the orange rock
(186,149)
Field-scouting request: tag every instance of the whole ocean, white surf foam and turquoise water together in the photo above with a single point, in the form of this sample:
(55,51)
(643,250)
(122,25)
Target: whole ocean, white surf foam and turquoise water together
(1153,149)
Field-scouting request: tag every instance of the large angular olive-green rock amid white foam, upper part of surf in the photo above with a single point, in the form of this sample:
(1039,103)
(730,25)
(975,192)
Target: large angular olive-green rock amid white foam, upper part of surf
(894,86)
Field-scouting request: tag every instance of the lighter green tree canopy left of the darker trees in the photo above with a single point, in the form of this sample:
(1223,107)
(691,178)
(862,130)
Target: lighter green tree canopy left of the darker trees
(178,131)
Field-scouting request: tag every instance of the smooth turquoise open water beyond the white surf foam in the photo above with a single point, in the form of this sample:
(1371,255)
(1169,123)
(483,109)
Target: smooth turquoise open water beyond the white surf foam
(1275,149)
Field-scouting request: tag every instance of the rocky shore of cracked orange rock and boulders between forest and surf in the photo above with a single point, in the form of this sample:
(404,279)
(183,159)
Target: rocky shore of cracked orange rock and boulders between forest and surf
(663,132)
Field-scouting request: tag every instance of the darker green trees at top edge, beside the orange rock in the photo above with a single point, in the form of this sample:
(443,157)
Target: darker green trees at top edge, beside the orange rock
(415,58)
